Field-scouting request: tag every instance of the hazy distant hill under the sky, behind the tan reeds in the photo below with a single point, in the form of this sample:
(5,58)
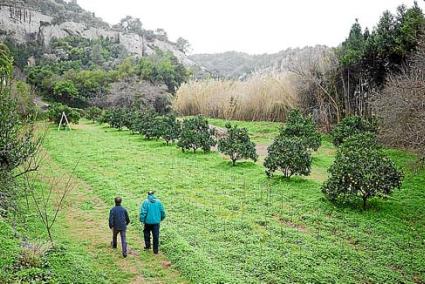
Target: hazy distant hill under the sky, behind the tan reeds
(236,65)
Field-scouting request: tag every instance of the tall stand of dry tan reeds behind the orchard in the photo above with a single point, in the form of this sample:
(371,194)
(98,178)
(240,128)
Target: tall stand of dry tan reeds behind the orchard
(261,97)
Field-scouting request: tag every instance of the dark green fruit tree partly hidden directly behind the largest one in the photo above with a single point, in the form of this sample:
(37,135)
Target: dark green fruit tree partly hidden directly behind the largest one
(350,126)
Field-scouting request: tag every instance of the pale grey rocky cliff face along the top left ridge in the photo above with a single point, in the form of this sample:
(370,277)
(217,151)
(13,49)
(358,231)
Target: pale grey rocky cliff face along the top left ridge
(24,21)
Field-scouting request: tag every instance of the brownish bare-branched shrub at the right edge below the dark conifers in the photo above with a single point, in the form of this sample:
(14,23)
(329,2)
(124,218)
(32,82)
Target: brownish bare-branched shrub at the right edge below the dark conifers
(401,105)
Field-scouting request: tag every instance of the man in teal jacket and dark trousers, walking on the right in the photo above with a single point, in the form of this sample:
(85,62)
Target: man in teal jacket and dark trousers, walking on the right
(151,214)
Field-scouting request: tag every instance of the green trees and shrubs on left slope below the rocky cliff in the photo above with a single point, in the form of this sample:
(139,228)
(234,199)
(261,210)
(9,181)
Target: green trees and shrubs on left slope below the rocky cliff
(84,69)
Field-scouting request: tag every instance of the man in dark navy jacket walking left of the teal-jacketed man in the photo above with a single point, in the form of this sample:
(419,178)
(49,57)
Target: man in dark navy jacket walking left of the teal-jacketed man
(118,221)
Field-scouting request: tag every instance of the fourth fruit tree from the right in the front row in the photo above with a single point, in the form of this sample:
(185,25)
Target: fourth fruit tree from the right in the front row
(195,134)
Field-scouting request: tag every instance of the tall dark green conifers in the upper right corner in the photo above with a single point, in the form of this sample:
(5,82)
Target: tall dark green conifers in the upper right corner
(386,47)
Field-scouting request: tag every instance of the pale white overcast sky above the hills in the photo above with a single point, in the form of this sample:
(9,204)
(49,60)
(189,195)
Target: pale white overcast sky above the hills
(253,26)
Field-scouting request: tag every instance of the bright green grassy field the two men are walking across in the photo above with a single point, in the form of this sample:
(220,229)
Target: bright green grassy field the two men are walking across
(232,224)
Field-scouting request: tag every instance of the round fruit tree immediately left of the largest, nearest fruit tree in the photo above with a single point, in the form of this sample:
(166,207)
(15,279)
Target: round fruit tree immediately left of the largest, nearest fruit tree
(289,155)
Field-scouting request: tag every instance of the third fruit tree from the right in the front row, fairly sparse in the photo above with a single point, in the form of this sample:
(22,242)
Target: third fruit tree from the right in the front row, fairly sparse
(237,144)
